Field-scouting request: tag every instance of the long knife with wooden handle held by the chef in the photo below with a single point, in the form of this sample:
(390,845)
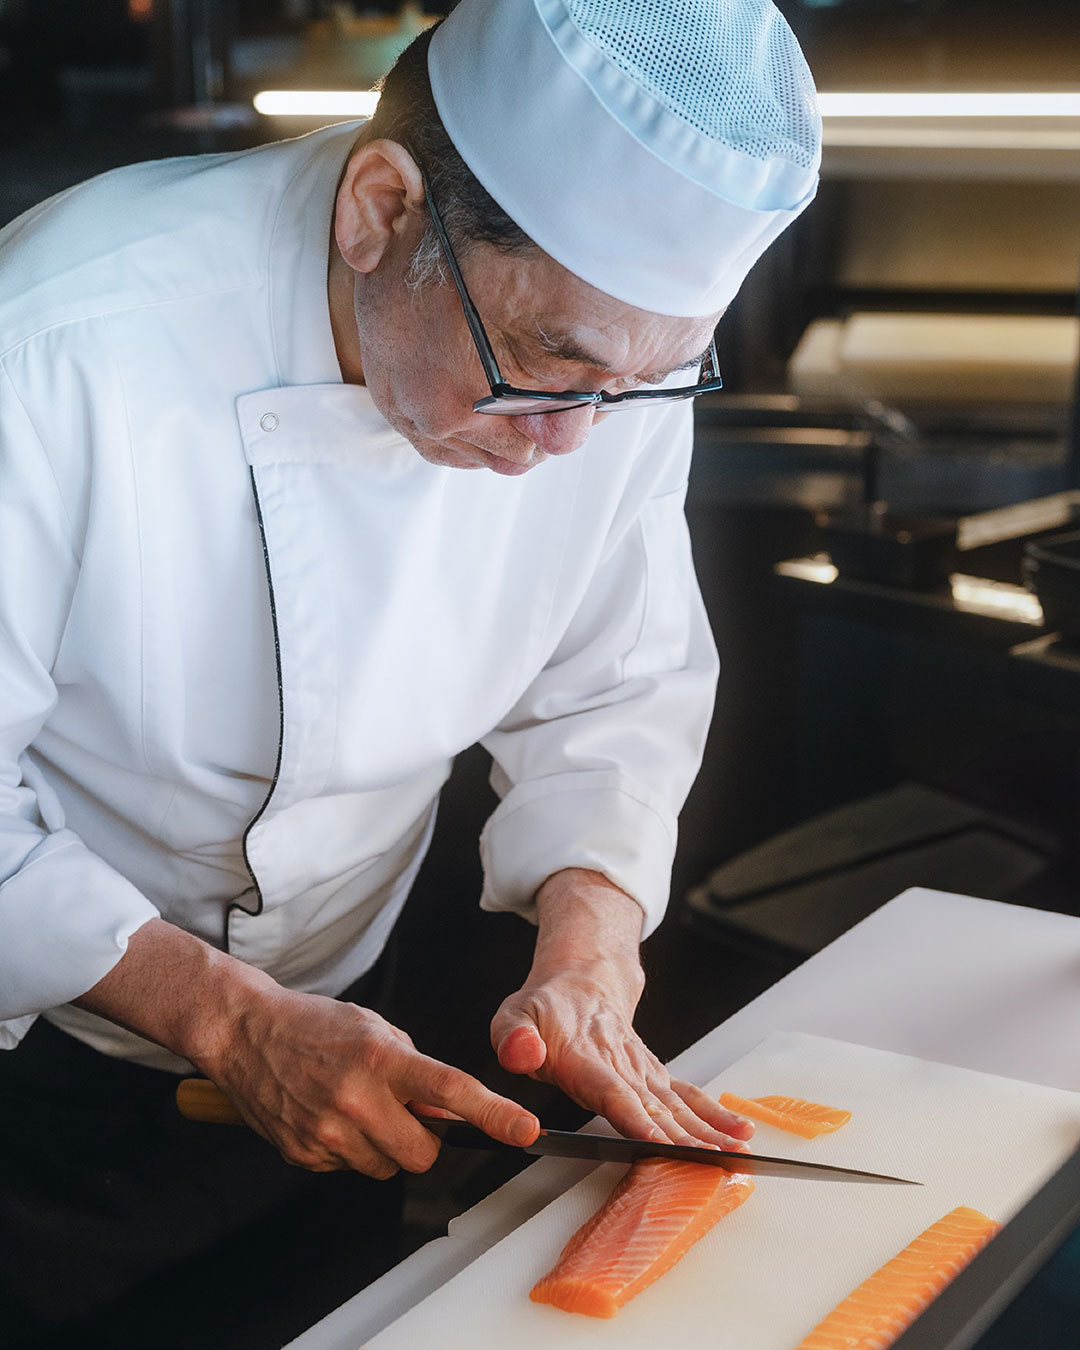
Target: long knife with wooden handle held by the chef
(199,1100)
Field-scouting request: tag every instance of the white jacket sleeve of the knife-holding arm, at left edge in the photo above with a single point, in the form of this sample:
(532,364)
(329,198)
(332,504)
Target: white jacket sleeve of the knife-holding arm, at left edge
(65,915)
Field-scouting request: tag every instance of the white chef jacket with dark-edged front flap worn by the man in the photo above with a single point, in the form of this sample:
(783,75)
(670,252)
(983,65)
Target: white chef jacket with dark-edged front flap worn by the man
(245,628)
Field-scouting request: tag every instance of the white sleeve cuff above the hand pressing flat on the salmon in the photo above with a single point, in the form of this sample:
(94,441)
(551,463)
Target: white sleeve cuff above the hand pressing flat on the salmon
(597,821)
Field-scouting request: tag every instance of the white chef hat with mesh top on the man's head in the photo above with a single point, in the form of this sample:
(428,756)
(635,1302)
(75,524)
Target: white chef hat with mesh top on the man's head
(654,148)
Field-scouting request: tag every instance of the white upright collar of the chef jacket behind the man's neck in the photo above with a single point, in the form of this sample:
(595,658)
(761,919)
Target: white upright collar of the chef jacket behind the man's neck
(298,260)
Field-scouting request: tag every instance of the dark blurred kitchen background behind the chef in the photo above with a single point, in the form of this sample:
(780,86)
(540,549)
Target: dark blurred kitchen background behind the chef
(875,504)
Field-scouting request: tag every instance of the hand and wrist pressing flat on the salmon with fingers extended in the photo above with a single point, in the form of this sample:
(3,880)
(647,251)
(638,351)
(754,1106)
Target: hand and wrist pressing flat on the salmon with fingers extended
(572,1024)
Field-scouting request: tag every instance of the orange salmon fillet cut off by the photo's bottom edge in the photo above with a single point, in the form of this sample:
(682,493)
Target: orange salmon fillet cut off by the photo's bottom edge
(889,1302)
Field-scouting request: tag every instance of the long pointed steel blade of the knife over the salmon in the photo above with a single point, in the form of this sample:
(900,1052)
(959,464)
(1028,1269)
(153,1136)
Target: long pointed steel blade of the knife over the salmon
(612,1148)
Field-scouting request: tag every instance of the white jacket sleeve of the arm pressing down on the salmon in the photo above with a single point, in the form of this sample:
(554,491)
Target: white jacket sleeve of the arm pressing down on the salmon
(597,758)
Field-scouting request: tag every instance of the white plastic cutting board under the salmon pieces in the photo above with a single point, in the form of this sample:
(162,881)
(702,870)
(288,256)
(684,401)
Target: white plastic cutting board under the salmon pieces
(770,1271)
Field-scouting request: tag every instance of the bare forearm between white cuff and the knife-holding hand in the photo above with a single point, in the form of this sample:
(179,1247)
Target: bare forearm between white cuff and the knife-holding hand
(179,992)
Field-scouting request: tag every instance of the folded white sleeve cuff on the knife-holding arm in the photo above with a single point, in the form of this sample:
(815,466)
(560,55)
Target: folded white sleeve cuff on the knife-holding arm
(65,920)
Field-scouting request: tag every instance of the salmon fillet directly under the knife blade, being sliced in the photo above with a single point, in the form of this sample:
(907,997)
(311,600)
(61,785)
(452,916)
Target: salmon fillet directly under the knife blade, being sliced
(655,1214)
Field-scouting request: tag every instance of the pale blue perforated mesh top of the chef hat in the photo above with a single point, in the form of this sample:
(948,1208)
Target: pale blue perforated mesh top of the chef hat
(719,70)
